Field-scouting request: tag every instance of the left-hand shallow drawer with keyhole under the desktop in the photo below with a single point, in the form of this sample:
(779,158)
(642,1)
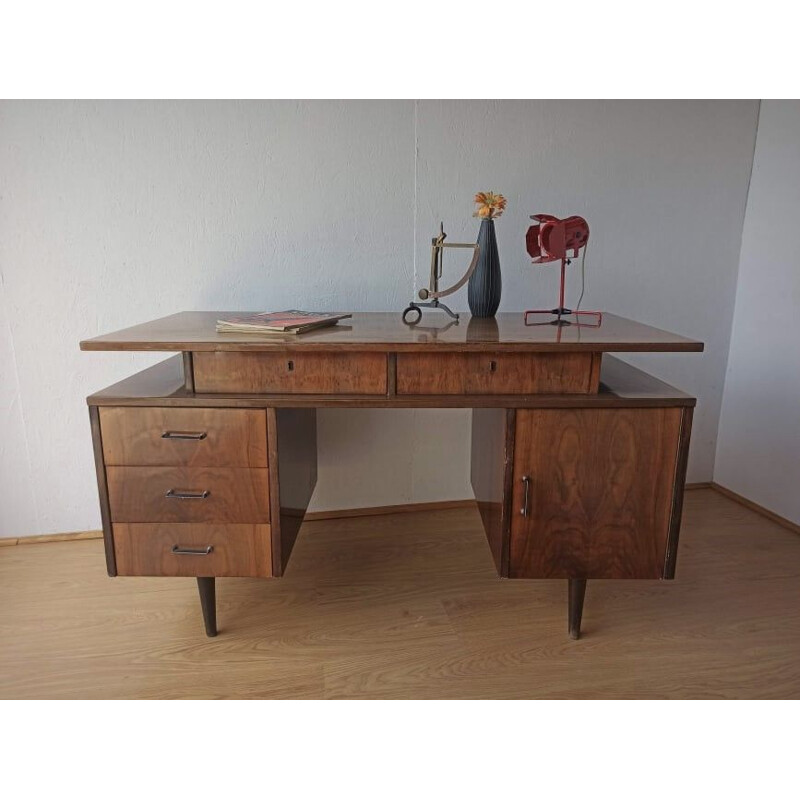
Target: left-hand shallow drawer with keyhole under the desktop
(290,373)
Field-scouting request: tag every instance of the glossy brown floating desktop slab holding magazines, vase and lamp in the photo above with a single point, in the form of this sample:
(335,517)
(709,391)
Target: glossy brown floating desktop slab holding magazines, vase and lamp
(385,331)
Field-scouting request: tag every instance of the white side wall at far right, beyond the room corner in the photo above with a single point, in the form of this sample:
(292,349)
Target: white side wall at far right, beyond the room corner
(758,450)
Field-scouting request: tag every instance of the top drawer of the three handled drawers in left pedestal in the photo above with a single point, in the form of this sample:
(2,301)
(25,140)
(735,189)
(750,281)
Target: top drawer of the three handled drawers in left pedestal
(197,437)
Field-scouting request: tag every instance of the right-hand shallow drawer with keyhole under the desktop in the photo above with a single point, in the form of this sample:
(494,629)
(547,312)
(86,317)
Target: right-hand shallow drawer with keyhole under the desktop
(497,373)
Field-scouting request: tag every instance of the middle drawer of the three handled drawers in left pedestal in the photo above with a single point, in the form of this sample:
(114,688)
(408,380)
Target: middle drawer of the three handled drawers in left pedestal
(188,494)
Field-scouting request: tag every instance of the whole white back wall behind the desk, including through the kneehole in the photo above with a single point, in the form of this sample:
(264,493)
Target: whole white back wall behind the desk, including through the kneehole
(115,213)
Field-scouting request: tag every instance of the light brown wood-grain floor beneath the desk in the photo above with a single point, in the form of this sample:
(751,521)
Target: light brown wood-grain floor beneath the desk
(409,606)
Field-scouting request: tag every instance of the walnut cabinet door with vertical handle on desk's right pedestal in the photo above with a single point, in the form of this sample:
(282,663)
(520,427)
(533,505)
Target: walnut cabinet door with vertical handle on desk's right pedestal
(599,492)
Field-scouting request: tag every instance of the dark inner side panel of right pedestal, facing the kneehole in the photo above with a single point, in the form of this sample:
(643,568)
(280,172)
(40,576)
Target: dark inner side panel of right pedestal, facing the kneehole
(491,467)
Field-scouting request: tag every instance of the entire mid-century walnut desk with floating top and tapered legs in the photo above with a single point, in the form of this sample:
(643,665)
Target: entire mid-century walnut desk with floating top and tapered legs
(206,462)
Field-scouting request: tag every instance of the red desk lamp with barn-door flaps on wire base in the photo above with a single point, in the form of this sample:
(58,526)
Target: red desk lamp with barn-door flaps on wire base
(549,241)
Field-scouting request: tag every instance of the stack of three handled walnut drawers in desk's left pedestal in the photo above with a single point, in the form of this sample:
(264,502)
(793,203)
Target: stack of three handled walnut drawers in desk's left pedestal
(188,491)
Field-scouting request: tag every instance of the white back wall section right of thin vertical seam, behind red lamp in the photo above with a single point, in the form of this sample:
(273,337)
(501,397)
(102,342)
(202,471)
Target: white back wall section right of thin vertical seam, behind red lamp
(663,185)
